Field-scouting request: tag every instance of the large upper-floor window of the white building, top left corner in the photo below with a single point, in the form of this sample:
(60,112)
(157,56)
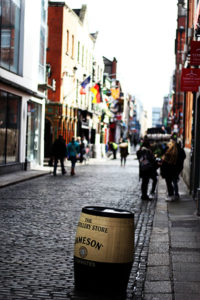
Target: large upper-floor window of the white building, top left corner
(10,34)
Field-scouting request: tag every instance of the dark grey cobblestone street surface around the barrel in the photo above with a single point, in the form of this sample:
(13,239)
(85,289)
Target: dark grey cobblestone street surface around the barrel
(38,220)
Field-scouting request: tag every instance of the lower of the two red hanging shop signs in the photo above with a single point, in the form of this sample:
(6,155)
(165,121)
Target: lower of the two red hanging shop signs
(190,80)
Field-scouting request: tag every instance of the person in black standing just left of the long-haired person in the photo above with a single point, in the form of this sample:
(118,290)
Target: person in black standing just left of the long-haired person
(147,169)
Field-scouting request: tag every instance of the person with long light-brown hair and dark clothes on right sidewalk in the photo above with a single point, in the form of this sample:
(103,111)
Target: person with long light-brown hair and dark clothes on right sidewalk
(171,167)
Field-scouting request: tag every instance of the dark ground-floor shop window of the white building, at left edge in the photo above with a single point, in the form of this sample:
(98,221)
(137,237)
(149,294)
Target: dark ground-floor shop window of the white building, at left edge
(9,127)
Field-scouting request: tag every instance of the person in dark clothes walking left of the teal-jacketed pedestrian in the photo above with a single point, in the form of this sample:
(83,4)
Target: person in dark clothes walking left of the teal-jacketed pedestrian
(59,153)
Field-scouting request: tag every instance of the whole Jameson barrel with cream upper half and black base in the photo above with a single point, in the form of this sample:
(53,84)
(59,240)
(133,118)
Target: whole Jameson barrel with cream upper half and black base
(104,249)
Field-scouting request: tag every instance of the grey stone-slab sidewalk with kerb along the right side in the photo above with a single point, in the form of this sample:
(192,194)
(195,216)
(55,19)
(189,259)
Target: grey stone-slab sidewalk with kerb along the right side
(173,266)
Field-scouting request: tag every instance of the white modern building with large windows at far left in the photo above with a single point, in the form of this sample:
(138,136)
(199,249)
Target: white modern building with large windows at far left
(22,69)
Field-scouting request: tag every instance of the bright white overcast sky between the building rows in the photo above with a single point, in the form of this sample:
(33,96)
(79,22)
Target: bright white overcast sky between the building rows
(140,34)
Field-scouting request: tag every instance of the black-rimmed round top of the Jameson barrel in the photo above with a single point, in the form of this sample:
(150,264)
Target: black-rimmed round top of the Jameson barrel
(107,212)
